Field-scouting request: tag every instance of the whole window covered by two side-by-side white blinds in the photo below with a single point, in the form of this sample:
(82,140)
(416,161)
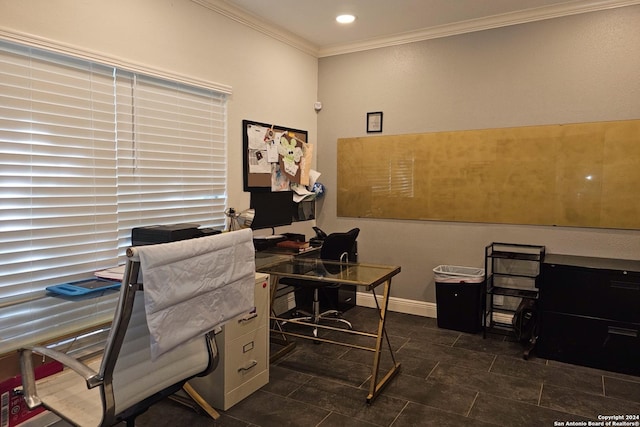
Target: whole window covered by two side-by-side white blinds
(87,152)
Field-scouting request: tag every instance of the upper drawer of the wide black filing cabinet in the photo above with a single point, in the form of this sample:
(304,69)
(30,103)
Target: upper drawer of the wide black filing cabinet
(599,293)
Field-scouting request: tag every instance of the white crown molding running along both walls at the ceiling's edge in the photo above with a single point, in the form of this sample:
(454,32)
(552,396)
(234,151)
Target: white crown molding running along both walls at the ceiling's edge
(496,21)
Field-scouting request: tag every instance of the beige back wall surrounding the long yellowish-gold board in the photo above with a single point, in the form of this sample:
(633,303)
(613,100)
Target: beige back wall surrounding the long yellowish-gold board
(566,70)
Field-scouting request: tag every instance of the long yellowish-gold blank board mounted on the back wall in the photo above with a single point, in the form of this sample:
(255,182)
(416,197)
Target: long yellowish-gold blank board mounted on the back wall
(582,175)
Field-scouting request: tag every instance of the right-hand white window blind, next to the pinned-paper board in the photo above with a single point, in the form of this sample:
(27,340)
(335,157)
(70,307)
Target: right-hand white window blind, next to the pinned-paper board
(171,154)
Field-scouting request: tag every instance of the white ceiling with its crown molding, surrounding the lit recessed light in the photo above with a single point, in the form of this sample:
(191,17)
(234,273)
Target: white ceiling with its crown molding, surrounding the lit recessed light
(310,24)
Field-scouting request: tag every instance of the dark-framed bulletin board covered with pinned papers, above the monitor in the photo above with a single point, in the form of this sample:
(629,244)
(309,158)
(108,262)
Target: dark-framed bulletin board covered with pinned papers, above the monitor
(274,156)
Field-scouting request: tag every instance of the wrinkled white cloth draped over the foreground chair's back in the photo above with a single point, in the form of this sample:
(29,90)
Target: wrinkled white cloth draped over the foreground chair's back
(192,286)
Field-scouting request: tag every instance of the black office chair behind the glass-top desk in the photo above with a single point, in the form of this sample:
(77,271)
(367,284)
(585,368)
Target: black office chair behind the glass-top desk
(335,247)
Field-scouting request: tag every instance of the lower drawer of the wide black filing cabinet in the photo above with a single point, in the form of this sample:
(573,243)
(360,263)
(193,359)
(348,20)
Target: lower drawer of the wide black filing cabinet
(599,343)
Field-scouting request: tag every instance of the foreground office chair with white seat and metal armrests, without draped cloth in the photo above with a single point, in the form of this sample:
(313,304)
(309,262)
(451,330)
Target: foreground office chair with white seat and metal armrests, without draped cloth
(126,381)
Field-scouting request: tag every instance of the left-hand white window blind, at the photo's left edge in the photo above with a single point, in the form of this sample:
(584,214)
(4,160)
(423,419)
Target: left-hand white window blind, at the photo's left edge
(57,169)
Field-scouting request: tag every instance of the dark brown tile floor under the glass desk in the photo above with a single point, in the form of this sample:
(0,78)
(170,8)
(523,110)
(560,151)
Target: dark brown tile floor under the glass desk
(447,378)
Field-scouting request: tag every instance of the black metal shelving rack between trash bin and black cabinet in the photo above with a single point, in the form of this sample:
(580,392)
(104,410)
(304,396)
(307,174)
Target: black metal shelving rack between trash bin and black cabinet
(512,274)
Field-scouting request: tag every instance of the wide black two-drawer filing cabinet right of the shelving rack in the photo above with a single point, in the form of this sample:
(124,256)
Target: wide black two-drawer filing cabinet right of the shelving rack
(590,312)
